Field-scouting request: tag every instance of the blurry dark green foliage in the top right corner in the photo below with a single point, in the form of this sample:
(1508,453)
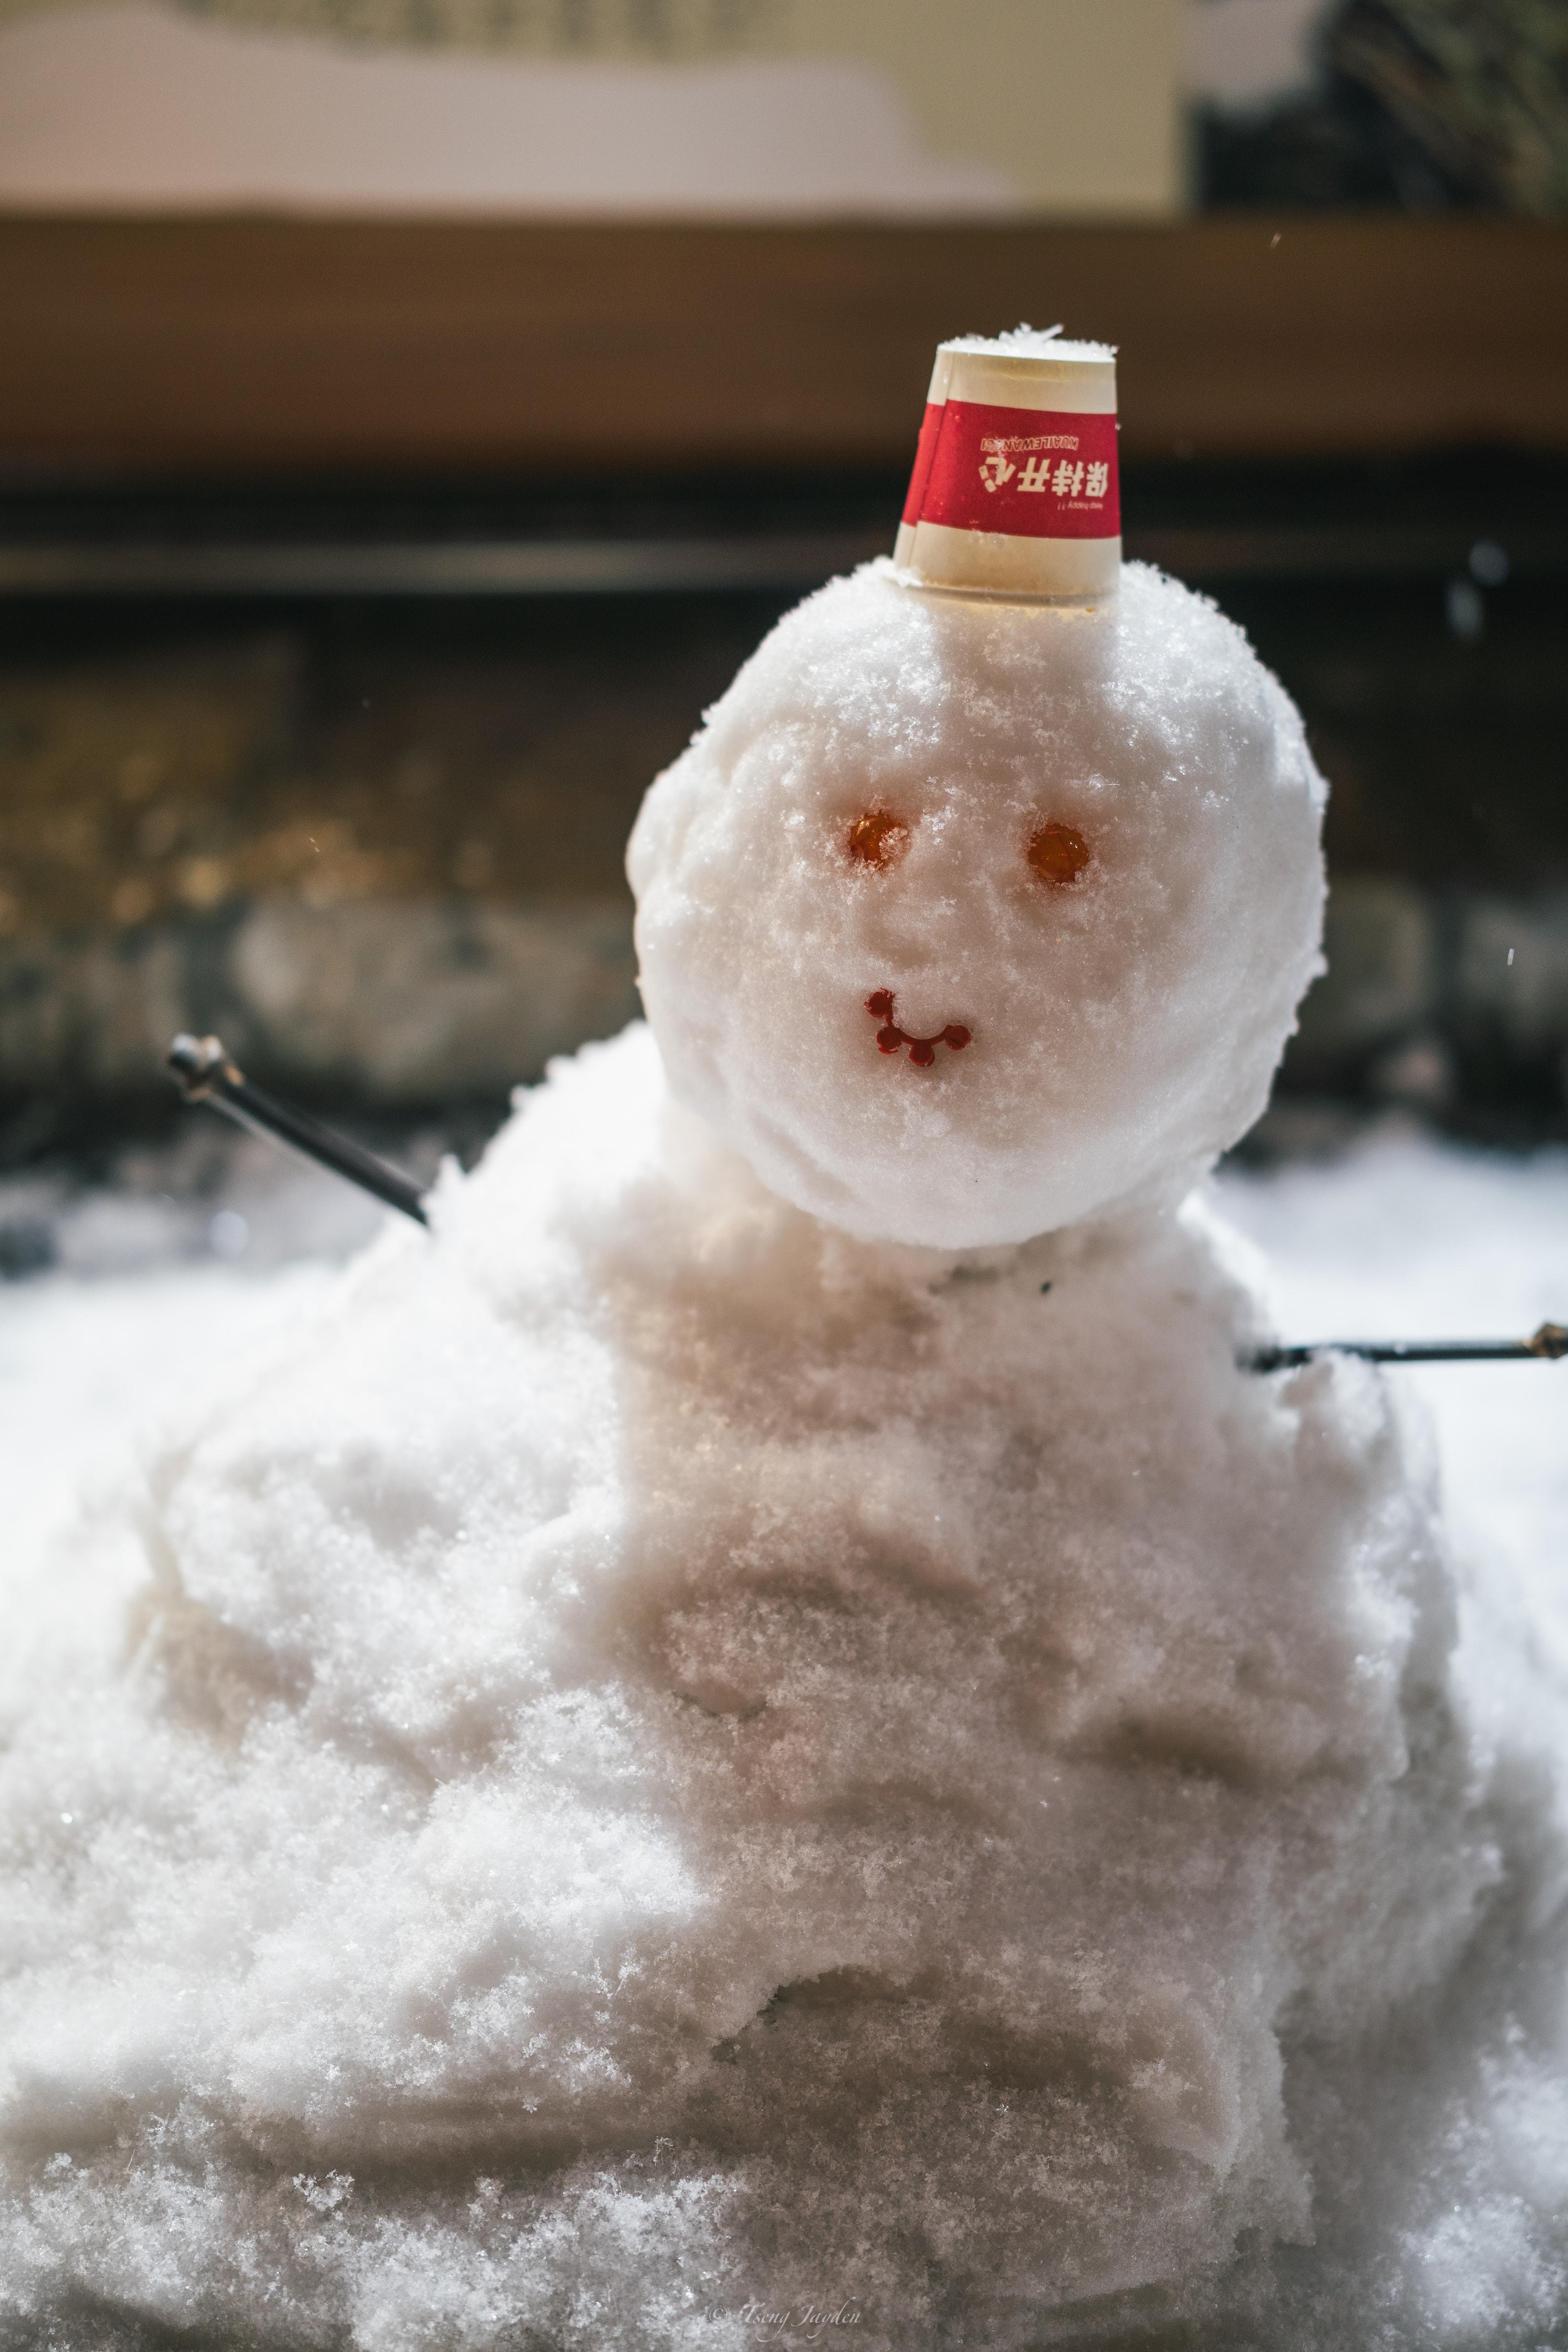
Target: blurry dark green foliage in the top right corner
(1480,86)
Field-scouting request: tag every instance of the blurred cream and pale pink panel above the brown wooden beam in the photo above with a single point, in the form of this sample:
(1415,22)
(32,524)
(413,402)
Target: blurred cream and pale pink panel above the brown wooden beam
(711,109)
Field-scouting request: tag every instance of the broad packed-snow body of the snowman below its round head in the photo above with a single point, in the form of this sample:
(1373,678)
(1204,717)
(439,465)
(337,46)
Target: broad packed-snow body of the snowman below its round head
(659,1765)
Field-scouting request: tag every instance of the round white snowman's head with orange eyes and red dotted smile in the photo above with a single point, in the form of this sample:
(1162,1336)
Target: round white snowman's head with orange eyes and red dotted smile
(965,921)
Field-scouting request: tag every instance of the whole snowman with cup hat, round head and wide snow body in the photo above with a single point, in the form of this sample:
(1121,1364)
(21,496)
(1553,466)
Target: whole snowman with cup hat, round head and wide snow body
(765,1737)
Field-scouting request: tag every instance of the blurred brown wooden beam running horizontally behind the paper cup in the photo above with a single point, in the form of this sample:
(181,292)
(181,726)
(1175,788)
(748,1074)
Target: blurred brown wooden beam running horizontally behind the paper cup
(215,345)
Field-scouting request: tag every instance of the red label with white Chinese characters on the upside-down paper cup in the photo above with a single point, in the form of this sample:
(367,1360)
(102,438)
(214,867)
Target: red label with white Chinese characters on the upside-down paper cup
(1028,474)
